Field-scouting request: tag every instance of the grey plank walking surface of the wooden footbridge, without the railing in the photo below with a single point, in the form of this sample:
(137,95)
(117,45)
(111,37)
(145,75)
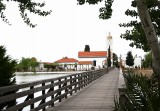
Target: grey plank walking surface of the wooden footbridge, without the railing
(98,96)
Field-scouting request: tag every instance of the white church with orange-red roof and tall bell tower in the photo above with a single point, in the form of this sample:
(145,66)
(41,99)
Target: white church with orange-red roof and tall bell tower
(97,59)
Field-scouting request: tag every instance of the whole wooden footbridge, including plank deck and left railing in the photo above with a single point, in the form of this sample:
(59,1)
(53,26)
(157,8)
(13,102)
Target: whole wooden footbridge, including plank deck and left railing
(95,94)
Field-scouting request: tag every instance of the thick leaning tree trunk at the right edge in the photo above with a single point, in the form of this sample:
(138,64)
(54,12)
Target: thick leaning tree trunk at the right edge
(151,36)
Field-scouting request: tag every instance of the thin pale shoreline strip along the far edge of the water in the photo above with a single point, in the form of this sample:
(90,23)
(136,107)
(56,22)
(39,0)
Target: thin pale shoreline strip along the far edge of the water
(61,72)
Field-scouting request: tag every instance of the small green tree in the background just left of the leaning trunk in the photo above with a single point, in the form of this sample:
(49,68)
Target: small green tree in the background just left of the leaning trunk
(147,60)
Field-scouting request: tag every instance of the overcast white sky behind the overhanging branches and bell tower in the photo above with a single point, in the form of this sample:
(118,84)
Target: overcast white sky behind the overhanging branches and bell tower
(65,32)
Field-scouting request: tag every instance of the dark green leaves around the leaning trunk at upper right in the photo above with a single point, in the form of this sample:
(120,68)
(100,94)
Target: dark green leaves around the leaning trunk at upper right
(136,33)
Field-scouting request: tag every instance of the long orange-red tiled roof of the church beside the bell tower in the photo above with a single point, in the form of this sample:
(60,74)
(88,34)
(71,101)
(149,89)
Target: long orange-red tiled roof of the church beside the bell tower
(92,54)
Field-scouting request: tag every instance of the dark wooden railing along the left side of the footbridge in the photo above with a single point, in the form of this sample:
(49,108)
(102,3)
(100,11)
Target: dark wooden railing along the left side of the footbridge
(41,94)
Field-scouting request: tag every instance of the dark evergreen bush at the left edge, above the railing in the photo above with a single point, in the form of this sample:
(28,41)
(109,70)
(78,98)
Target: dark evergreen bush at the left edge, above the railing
(7,70)
